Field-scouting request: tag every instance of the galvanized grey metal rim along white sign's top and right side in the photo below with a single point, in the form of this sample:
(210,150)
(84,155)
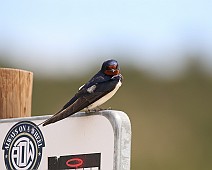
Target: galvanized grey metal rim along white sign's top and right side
(122,133)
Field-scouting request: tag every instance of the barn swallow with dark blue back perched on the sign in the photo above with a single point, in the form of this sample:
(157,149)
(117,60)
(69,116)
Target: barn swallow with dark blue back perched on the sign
(100,88)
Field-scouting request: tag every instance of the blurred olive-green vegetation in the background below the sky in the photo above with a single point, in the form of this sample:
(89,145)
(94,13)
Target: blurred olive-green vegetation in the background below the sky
(171,118)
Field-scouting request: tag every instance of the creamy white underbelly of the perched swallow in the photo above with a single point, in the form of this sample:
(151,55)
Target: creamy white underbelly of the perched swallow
(105,98)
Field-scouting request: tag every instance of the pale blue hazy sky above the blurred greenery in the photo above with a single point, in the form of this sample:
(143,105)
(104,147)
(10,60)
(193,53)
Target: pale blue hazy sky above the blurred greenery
(59,36)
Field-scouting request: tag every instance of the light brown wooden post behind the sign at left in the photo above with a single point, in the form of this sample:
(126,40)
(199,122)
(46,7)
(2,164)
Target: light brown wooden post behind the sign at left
(15,93)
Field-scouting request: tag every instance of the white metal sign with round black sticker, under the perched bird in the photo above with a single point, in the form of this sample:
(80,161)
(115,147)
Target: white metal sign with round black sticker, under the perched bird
(94,141)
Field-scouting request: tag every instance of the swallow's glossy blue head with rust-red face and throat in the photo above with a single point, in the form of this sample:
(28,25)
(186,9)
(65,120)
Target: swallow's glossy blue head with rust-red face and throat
(110,67)
